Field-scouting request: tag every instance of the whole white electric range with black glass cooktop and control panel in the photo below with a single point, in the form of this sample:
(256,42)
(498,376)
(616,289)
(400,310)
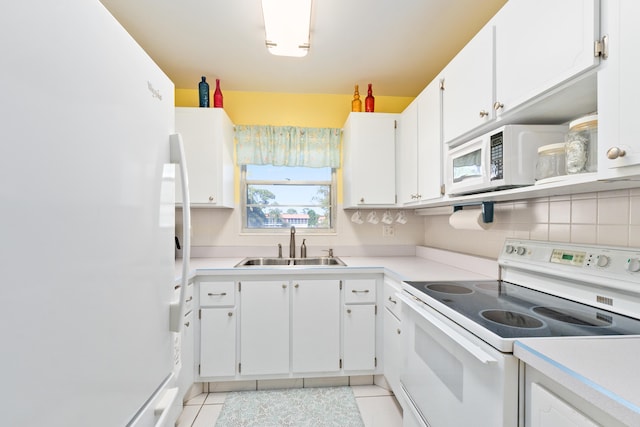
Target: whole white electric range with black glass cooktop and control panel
(460,367)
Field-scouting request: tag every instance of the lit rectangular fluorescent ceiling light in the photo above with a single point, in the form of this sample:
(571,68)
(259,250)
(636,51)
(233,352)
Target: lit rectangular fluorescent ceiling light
(287,25)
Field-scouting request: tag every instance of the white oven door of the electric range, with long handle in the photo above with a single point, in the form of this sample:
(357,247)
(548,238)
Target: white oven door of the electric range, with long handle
(452,378)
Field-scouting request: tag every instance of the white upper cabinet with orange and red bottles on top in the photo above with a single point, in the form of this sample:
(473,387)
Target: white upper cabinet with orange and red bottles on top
(369,158)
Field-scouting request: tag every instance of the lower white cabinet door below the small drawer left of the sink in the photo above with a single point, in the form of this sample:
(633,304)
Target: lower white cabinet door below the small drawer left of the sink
(217,342)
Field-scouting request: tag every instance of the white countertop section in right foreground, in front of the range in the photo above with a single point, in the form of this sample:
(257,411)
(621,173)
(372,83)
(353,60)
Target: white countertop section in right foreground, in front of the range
(602,370)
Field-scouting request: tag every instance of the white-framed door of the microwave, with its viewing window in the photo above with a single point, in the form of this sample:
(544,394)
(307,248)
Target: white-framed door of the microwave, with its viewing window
(467,167)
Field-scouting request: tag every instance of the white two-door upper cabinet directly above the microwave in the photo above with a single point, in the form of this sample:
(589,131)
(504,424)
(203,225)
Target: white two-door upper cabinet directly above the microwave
(529,64)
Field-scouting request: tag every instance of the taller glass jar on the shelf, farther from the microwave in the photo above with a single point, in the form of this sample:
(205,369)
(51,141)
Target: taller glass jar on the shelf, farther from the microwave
(582,145)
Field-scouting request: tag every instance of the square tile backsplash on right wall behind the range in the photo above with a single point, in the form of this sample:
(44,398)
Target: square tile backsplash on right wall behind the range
(606,218)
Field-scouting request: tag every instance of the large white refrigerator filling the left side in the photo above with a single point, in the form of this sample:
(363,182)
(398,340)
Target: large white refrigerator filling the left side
(86,222)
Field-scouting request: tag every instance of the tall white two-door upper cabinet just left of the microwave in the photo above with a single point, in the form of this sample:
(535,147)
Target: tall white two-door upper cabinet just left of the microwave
(419,162)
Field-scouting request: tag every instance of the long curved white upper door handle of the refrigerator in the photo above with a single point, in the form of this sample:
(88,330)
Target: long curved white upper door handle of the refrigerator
(178,157)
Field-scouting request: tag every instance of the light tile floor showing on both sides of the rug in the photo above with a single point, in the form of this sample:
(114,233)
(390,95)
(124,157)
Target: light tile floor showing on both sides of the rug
(377,406)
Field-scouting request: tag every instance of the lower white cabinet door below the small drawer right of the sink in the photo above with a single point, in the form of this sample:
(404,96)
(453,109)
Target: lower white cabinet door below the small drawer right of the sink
(359,337)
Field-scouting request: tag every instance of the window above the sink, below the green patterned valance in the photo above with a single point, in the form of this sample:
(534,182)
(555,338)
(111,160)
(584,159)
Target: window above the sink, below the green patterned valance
(278,197)
